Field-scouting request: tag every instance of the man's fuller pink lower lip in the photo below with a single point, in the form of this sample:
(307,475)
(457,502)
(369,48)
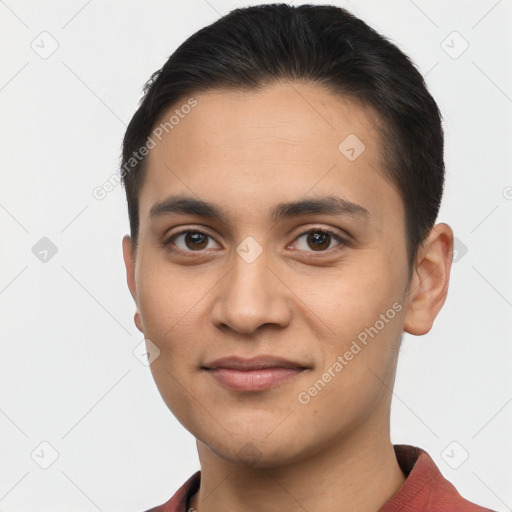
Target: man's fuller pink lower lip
(253,380)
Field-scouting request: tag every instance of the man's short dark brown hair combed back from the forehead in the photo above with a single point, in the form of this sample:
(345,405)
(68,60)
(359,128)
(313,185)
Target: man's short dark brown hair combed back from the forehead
(323,45)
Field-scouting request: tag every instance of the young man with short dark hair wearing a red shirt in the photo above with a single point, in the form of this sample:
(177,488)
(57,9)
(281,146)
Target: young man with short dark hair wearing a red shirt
(283,173)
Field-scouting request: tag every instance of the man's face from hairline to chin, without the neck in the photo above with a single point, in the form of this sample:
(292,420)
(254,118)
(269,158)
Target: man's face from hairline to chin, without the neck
(320,284)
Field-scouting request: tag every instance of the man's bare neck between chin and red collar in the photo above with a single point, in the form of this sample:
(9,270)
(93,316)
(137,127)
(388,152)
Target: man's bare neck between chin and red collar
(361,473)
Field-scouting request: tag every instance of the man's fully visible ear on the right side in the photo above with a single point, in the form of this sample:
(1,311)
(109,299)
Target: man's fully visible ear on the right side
(429,283)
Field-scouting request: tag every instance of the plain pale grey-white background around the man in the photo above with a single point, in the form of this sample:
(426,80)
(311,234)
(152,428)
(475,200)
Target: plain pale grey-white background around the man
(68,374)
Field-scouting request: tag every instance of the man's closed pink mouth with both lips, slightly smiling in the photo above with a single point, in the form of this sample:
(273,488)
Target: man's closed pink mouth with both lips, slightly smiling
(255,374)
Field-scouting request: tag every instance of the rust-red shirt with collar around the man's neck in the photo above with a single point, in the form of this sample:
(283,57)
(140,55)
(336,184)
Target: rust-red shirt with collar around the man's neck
(425,489)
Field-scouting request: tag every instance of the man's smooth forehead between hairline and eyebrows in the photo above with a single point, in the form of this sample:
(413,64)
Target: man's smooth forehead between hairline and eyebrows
(277,144)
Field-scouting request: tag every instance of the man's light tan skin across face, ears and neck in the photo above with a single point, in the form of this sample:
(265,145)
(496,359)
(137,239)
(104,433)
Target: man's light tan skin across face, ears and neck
(247,151)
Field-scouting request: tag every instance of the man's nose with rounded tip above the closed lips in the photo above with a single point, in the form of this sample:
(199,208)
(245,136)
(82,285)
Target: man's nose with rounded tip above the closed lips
(251,295)
